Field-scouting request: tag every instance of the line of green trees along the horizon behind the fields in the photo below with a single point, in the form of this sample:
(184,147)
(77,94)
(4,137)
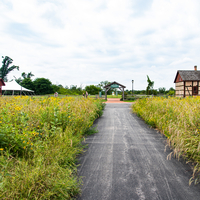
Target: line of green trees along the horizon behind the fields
(42,86)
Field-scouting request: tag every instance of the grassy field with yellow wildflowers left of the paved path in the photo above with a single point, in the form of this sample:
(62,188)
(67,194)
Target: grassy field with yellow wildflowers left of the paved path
(40,139)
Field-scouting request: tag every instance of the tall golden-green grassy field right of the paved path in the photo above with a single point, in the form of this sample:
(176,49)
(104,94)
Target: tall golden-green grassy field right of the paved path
(179,120)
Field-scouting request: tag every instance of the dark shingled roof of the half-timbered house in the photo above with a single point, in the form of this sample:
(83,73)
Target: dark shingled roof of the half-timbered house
(188,75)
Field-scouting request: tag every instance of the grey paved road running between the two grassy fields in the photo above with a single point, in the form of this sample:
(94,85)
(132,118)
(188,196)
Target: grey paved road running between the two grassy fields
(127,160)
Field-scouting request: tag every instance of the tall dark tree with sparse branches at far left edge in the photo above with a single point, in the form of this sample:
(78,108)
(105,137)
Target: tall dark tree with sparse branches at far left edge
(5,69)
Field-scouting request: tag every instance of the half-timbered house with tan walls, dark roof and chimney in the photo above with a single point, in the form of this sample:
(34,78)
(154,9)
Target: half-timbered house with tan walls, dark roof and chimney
(187,83)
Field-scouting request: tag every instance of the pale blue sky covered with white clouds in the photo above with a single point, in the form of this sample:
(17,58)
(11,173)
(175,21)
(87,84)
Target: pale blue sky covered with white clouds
(84,42)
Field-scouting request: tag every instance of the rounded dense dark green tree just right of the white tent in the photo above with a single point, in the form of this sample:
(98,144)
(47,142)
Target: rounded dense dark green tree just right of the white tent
(43,86)
